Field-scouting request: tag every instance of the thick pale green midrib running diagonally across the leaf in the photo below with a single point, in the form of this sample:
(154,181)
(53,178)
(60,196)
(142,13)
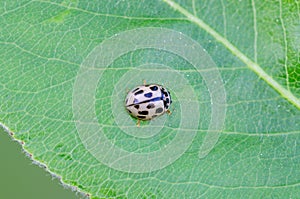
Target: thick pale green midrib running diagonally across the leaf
(234,50)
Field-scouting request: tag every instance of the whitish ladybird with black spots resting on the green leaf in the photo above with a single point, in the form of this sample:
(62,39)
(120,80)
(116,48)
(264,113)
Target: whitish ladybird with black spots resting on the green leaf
(146,102)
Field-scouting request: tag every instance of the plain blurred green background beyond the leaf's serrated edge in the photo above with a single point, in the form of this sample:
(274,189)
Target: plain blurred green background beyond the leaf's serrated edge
(19,178)
